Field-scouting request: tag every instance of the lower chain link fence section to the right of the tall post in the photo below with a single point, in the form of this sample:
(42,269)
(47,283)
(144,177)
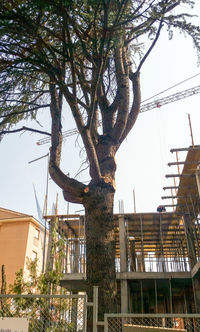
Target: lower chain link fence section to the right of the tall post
(158,322)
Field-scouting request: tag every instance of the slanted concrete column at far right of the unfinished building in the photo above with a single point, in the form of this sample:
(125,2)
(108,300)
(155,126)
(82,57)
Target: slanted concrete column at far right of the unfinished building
(190,240)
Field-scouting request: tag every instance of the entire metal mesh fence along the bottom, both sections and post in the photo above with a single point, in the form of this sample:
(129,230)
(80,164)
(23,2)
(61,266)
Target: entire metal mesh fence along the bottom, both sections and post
(67,313)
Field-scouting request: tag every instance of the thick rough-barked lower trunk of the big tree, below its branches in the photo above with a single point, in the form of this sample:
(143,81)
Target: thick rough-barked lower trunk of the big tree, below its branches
(100,246)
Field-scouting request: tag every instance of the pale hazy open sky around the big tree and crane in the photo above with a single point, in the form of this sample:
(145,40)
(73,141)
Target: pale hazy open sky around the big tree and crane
(143,157)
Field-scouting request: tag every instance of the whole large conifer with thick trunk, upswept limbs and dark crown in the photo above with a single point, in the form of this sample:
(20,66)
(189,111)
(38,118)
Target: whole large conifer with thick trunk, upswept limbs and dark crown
(87,54)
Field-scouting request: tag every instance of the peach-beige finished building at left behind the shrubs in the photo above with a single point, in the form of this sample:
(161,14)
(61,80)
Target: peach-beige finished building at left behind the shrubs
(18,240)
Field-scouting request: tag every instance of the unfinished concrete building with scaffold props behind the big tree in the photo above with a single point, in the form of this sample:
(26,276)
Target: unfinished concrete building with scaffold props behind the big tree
(157,254)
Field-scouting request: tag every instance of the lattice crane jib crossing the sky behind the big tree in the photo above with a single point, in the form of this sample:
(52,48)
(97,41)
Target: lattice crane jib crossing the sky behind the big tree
(144,108)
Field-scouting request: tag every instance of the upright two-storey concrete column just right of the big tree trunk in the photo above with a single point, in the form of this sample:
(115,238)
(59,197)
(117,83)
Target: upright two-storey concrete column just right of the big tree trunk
(123,264)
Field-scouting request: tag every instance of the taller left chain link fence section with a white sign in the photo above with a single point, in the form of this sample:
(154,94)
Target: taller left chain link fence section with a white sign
(46,313)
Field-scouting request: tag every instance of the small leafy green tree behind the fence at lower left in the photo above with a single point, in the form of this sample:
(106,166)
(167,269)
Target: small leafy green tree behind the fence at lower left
(44,313)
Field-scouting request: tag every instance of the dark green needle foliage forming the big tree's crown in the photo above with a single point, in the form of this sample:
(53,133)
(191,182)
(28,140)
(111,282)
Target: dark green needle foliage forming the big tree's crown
(72,43)
